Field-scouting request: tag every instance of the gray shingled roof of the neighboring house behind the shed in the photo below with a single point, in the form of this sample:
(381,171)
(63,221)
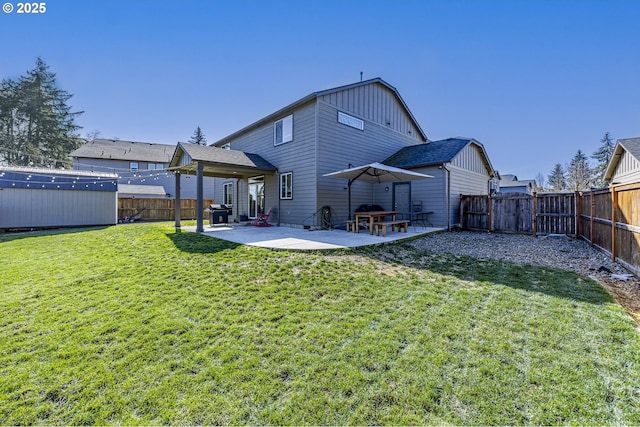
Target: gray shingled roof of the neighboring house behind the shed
(125,150)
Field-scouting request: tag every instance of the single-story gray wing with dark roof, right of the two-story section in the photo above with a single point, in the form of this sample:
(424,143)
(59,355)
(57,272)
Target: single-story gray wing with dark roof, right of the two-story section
(458,165)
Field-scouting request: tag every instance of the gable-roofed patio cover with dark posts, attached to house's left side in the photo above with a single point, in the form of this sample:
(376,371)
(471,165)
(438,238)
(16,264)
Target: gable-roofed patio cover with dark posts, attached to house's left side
(212,162)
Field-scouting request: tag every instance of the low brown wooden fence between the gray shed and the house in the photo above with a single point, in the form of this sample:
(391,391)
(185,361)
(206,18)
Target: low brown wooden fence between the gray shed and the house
(158,209)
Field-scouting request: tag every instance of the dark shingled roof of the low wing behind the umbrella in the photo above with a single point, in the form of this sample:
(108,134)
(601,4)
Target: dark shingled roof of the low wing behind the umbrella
(434,153)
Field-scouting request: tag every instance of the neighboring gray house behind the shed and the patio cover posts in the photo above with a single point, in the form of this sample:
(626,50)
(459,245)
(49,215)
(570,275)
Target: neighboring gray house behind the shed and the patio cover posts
(142,168)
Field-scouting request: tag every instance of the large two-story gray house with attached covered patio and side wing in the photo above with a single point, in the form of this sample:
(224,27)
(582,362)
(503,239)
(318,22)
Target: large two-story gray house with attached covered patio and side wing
(279,161)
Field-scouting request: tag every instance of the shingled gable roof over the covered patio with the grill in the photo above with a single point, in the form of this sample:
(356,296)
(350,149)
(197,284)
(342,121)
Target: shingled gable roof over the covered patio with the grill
(217,161)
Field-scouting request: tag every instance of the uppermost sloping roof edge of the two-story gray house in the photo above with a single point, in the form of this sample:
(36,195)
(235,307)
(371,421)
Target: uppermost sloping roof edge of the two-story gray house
(312,97)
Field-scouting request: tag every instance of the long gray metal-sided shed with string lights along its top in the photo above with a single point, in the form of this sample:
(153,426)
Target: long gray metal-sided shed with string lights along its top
(49,198)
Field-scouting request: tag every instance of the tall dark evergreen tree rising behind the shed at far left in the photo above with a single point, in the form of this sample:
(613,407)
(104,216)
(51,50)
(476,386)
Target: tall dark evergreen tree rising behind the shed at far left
(36,125)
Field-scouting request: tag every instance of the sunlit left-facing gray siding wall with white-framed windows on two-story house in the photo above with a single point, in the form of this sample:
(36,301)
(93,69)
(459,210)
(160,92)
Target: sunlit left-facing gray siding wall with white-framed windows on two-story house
(297,156)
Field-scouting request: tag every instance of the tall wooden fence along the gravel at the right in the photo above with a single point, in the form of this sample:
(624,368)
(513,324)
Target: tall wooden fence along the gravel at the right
(608,219)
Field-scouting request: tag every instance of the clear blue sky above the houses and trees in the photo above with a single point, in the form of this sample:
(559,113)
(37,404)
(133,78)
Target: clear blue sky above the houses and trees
(534,81)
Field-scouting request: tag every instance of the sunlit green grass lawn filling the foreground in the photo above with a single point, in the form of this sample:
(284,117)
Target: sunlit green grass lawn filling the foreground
(136,324)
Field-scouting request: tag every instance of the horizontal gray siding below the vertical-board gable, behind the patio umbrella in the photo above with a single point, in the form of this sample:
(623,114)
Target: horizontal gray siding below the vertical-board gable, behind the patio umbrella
(339,146)
